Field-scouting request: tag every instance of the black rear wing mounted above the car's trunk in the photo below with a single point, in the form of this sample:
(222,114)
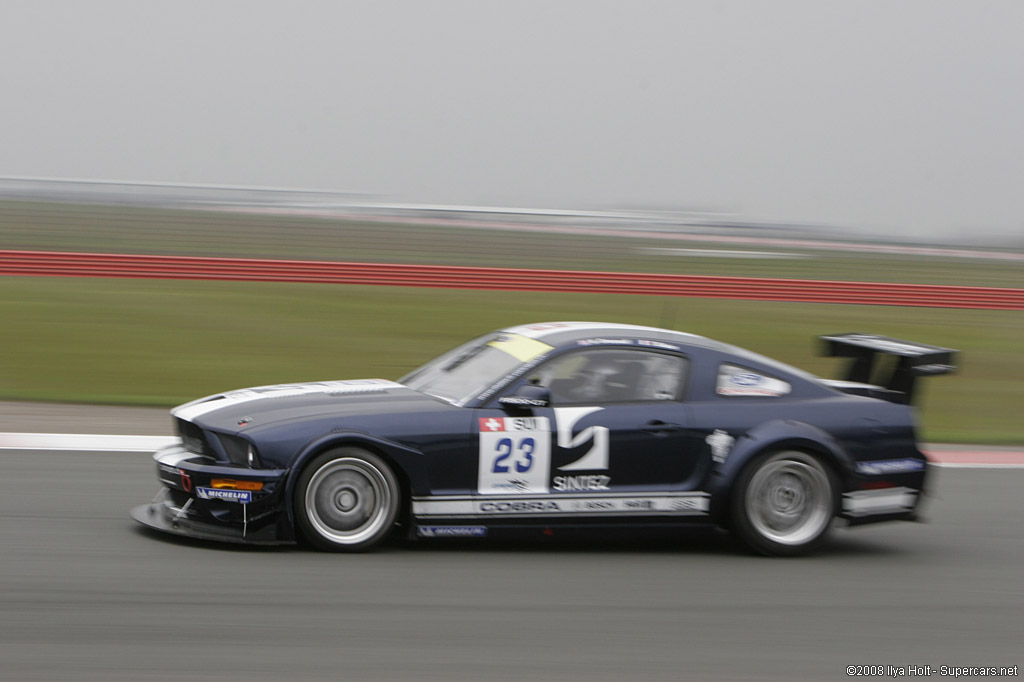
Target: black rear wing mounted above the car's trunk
(913,361)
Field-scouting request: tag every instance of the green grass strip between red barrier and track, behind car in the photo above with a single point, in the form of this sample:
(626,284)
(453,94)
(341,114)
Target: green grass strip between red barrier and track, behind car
(161,344)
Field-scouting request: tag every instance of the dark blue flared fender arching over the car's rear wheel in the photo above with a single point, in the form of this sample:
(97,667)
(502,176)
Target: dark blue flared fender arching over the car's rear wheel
(773,437)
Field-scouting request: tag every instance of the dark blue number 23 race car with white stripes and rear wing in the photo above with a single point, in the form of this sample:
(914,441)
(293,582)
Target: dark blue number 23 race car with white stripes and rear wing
(552,429)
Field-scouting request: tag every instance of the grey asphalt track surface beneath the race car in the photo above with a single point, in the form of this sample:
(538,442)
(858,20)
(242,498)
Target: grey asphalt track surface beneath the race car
(87,594)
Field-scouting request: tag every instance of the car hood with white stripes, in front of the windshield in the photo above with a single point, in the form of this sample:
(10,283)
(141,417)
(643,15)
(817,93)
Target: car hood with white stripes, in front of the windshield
(267,405)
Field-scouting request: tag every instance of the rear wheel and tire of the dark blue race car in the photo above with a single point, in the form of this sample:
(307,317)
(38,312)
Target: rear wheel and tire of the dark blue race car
(784,503)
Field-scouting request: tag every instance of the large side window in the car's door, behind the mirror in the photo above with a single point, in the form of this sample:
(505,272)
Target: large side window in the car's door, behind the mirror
(604,375)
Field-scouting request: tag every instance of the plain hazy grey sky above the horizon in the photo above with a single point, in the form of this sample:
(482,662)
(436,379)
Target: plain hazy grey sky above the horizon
(888,115)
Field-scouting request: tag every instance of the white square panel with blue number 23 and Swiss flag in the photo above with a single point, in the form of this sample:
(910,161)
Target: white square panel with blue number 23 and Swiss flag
(516,455)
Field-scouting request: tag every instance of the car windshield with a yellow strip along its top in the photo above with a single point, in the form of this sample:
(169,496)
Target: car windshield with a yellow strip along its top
(460,375)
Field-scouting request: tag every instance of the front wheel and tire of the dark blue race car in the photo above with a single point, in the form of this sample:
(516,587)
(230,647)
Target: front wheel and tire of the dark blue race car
(347,500)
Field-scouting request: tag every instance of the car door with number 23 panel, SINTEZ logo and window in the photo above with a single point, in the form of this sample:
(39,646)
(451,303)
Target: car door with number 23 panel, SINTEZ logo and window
(614,441)
